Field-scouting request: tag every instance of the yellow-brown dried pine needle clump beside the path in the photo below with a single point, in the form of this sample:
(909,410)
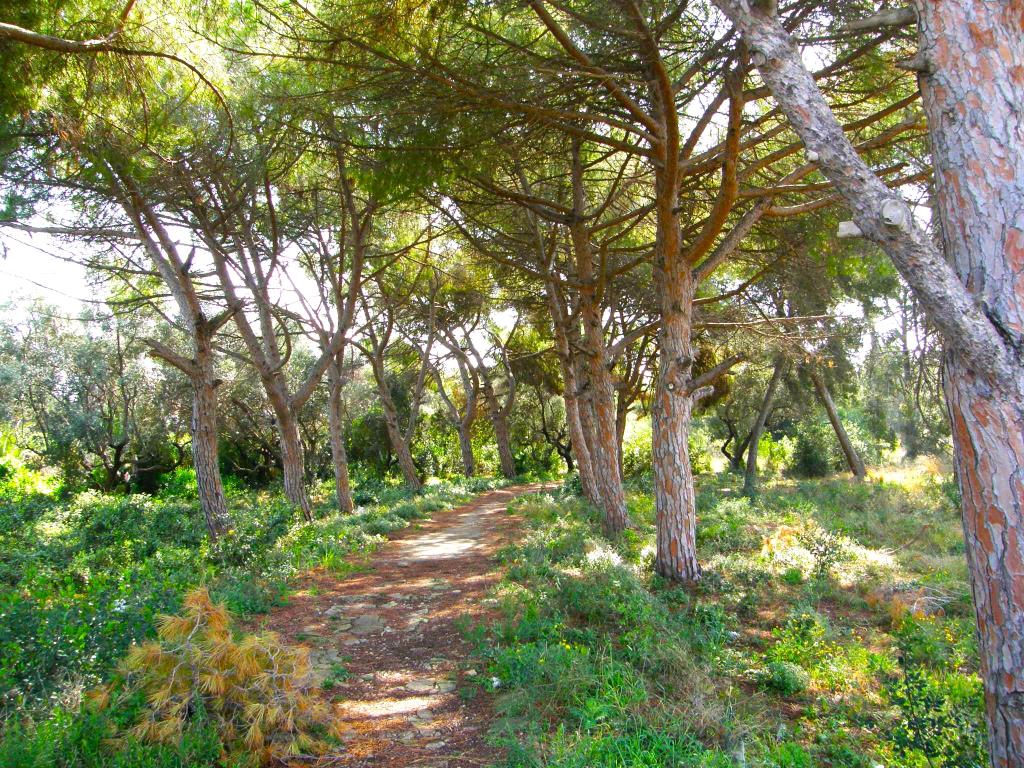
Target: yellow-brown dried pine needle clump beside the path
(255,691)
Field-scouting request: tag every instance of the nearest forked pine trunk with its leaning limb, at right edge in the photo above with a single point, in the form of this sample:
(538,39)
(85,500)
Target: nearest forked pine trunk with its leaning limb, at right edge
(970,65)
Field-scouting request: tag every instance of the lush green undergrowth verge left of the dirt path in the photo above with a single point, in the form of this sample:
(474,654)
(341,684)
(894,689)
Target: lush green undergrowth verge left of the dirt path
(82,580)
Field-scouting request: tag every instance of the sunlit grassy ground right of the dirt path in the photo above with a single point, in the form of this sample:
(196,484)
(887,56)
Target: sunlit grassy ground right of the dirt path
(833,628)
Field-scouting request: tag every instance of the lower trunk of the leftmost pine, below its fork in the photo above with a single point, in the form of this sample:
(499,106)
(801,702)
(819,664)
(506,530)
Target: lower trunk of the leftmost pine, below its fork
(204,433)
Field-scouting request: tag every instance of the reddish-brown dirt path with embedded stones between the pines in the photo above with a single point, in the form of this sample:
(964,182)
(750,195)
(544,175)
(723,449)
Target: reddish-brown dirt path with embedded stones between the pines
(387,646)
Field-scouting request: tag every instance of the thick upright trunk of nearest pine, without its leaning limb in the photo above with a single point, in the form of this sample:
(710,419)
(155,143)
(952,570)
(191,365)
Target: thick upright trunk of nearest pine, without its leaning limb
(973,94)
